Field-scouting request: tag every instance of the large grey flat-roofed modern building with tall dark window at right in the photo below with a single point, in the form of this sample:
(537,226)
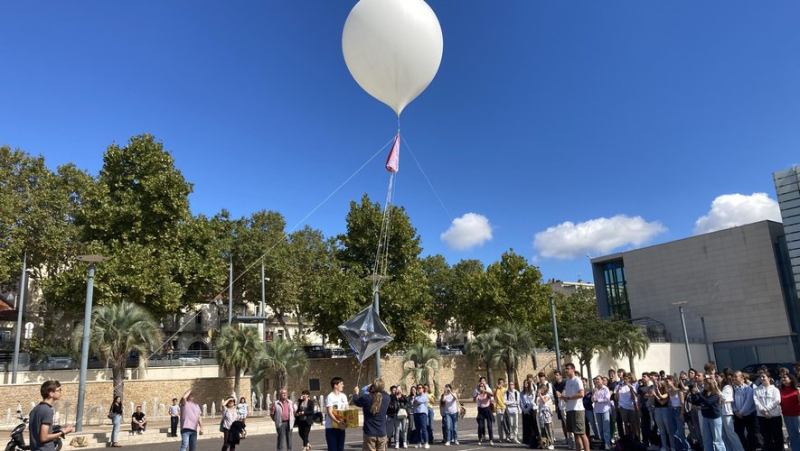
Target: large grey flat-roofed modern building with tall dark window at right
(736,287)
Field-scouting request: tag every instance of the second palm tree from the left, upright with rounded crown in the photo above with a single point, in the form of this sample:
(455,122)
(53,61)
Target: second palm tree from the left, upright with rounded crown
(237,350)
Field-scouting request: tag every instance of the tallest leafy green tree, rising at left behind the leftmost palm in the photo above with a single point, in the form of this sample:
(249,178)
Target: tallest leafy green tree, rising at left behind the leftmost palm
(137,213)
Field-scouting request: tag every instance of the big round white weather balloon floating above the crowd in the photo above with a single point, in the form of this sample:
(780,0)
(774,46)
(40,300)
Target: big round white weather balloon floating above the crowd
(393,49)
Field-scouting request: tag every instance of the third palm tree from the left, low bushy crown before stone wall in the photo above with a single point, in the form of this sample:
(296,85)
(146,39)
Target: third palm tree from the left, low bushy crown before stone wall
(280,359)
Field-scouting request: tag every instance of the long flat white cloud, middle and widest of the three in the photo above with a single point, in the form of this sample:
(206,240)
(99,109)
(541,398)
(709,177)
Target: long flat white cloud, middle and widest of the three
(596,236)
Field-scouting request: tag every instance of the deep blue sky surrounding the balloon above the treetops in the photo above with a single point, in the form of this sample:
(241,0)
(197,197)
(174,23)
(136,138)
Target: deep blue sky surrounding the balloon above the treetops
(577,117)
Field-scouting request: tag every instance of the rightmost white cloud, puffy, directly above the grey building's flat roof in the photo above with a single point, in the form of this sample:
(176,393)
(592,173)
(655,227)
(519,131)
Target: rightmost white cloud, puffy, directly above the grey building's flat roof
(731,210)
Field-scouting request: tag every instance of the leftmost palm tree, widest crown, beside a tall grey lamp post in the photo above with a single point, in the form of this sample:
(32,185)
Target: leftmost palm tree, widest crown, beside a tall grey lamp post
(115,331)
